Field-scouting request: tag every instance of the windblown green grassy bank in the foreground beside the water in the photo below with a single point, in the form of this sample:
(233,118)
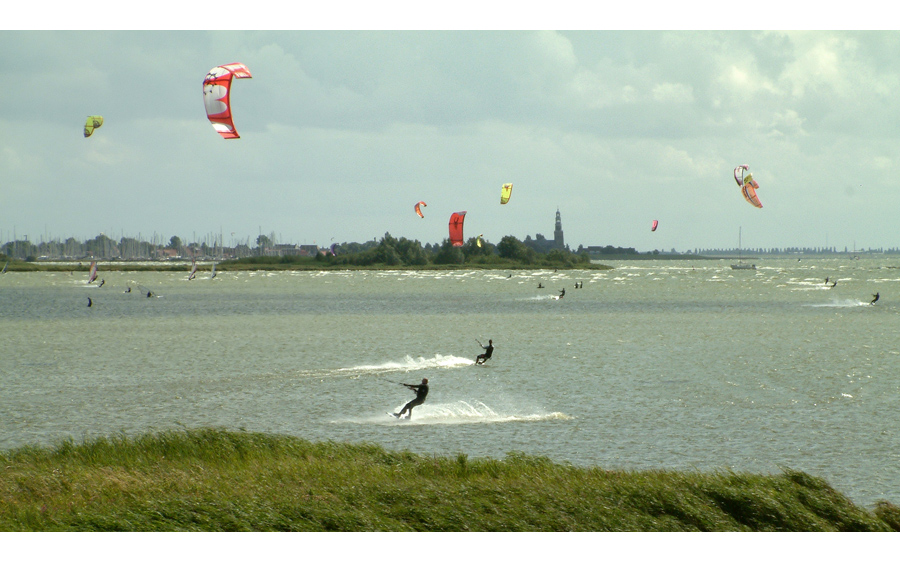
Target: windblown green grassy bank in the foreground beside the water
(215,480)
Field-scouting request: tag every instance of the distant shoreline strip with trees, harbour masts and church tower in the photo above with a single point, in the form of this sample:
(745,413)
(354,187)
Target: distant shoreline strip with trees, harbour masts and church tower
(212,248)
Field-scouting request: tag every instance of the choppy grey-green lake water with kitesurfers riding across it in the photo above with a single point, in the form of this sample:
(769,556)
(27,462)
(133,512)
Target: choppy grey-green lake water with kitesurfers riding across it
(684,365)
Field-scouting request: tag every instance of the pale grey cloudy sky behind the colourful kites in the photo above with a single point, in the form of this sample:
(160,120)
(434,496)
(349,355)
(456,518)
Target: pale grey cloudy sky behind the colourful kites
(343,131)
